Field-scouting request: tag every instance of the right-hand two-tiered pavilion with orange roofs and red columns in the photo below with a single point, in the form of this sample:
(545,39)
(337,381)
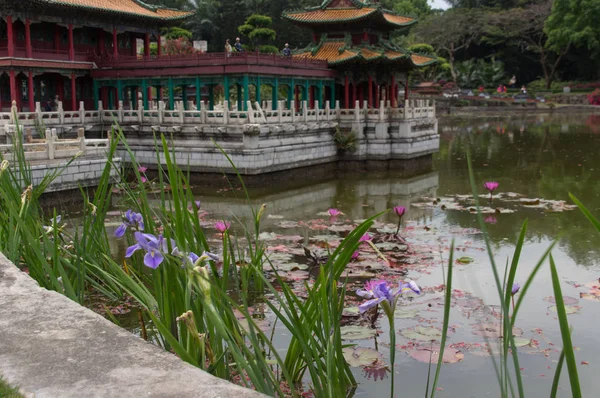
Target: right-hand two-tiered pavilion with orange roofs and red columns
(353,36)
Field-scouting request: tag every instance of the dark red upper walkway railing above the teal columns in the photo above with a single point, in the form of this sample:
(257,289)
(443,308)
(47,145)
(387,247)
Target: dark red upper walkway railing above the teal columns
(204,59)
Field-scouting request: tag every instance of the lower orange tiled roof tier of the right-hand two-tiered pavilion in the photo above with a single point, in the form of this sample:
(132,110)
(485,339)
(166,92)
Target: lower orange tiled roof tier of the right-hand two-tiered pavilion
(337,52)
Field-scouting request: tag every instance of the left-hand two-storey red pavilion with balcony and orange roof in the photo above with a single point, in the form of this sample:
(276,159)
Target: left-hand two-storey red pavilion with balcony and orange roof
(46,45)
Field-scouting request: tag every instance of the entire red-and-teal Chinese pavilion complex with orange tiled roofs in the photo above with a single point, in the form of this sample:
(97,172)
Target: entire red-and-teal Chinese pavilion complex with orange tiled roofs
(97,52)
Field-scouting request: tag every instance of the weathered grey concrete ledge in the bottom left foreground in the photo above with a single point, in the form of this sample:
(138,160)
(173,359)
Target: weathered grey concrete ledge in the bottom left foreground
(51,346)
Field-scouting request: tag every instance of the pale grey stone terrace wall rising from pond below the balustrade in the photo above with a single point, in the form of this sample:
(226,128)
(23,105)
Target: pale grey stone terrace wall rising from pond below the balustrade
(264,148)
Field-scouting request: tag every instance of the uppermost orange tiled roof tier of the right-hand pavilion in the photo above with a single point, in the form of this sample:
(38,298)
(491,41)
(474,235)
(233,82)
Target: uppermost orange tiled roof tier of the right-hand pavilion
(343,11)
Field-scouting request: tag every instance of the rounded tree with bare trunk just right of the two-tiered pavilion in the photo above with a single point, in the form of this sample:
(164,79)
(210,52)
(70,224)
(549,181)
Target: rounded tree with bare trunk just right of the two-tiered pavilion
(451,32)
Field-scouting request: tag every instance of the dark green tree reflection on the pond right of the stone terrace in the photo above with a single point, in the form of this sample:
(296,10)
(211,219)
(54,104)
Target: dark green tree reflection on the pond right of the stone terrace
(548,158)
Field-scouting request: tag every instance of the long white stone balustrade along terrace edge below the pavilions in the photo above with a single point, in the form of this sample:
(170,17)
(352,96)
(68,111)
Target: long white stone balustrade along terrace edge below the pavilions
(222,115)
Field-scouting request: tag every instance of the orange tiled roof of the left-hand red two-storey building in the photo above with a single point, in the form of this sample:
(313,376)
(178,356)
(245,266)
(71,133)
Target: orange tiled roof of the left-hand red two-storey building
(129,8)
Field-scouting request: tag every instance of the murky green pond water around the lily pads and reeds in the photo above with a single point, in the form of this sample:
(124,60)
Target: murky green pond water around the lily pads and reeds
(533,157)
